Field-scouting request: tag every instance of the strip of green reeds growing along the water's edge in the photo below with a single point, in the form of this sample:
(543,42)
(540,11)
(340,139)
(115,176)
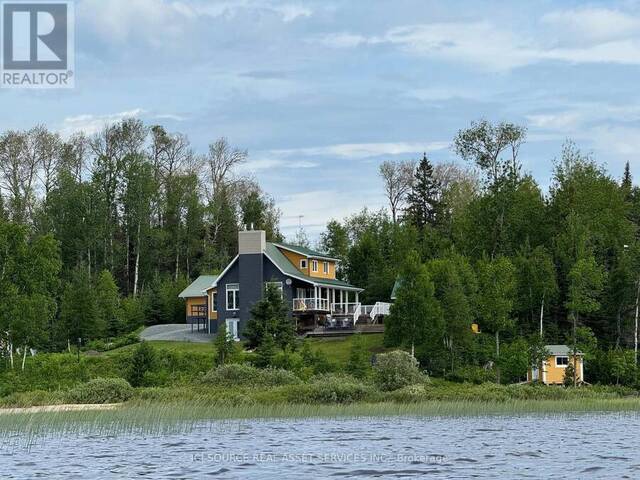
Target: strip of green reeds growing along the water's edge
(150,417)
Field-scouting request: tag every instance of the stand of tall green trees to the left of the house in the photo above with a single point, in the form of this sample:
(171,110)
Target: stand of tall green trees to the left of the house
(99,233)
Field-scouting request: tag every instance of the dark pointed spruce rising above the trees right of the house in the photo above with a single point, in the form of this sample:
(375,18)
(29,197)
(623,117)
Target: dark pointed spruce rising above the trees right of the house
(424,198)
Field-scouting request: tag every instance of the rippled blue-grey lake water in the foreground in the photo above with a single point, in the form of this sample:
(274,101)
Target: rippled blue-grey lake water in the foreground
(565,446)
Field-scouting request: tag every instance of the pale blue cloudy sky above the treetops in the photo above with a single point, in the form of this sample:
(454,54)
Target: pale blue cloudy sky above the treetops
(321,92)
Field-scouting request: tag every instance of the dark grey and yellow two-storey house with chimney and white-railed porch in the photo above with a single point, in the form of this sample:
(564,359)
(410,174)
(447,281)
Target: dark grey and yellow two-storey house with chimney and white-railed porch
(306,279)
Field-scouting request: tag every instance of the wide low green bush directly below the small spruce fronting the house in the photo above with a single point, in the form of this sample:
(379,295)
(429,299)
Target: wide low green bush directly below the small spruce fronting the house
(245,375)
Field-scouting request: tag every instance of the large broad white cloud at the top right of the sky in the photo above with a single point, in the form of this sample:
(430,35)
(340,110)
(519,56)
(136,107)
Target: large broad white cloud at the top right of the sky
(574,36)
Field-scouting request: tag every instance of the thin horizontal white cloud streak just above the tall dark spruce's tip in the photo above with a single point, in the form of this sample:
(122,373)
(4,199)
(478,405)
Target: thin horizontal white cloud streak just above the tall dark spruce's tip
(366,150)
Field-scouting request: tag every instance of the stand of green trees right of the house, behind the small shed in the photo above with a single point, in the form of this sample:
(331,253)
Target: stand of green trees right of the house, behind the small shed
(480,242)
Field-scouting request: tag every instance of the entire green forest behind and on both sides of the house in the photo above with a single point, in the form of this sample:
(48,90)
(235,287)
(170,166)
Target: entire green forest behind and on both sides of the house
(99,233)
